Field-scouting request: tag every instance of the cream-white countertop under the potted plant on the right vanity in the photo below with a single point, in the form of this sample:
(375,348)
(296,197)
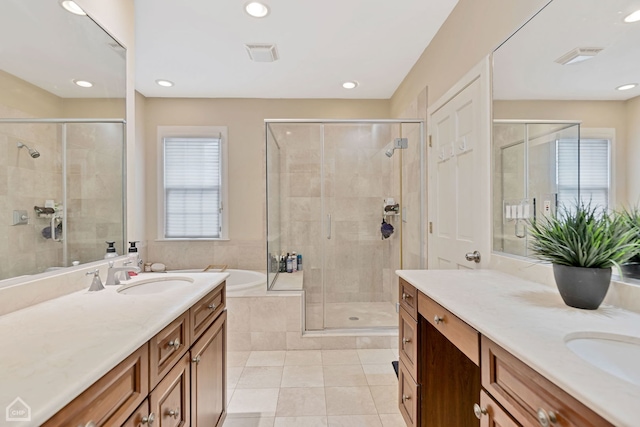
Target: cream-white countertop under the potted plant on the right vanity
(531,321)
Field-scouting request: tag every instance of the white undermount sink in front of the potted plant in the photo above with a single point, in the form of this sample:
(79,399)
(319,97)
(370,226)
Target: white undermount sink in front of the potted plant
(618,355)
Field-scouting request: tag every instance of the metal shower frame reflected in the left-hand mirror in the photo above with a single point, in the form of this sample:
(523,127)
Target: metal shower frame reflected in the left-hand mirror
(64,122)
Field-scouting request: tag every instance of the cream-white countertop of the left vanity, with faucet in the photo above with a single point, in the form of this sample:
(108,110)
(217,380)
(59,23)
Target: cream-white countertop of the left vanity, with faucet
(53,351)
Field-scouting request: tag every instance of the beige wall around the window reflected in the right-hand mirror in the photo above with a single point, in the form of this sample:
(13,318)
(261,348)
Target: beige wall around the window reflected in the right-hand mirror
(593,114)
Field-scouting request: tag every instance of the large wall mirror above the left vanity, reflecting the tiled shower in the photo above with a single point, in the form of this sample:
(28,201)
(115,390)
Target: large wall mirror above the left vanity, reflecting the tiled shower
(62,138)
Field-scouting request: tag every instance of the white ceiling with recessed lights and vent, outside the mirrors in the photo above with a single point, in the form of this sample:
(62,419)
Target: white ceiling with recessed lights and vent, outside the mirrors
(199,45)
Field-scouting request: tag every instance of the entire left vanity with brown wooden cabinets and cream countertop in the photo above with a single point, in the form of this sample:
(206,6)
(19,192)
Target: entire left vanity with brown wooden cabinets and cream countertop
(128,355)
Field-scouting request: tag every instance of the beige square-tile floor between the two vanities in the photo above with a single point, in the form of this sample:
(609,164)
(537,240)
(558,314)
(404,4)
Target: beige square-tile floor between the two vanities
(312,388)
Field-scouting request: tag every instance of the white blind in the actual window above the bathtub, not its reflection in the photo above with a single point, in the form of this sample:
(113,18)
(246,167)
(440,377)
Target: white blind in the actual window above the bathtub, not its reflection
(192,183)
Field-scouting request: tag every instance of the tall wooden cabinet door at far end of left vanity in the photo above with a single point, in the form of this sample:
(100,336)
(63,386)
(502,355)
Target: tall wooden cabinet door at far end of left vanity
(208,375)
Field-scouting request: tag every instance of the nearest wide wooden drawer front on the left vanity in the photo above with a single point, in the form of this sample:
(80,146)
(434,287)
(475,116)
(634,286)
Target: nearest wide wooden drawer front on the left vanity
(112,398)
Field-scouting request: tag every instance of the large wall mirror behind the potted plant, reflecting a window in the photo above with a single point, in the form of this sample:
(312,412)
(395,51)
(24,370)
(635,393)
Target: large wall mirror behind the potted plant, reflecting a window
(557,80)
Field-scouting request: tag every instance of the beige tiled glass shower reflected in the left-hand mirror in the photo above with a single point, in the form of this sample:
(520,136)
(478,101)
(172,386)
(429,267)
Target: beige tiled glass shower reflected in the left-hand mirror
(66,204)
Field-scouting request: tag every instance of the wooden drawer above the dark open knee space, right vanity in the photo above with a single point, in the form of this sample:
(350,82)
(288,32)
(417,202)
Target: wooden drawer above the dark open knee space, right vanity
(458,332)
